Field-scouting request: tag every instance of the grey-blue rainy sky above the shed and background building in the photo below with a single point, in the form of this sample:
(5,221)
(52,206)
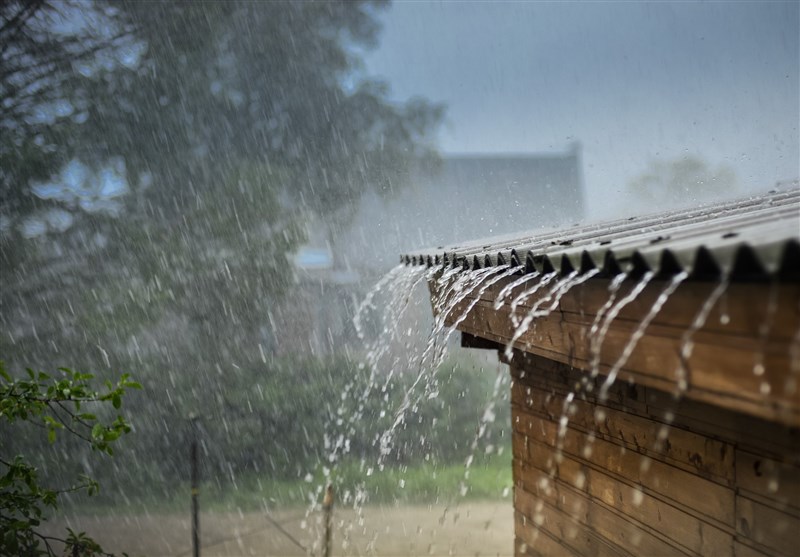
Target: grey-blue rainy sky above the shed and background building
(633,82)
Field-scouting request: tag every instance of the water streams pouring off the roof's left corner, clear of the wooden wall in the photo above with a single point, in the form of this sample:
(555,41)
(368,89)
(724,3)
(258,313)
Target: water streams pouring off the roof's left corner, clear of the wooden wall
(456,293)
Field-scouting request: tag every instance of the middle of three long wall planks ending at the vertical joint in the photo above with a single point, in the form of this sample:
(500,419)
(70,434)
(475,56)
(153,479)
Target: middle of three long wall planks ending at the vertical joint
(670,483)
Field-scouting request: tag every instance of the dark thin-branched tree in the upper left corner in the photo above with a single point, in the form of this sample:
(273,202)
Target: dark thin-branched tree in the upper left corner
(46,50)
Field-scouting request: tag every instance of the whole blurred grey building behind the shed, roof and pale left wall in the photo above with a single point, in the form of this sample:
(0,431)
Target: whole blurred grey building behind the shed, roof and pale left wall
(466,196)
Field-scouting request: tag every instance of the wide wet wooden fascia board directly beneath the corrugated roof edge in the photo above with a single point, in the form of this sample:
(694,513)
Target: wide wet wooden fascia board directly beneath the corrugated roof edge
(741,358)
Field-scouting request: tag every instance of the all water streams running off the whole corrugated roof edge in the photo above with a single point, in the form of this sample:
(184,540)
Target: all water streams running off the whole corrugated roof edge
(455,294)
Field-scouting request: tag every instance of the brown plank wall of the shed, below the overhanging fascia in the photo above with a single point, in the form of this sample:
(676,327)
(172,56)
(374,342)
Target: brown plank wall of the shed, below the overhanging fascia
(719,482)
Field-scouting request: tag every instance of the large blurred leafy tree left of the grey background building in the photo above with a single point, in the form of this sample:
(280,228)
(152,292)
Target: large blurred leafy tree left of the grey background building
(229,125)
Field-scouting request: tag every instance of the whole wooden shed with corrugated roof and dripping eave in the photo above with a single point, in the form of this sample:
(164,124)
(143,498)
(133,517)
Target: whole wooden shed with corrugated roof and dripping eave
(655,364)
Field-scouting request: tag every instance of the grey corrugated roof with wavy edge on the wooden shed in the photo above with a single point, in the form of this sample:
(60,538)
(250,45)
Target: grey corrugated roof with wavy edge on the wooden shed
(748,238)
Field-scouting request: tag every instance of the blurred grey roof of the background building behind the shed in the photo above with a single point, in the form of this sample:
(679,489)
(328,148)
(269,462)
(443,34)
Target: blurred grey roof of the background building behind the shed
(469,196)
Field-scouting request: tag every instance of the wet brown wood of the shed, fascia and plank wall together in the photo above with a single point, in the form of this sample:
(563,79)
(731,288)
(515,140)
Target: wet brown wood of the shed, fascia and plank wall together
(696,455)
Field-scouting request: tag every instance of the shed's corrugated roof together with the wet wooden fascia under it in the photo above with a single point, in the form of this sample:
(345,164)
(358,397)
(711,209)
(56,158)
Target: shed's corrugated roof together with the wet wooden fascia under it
(753,244)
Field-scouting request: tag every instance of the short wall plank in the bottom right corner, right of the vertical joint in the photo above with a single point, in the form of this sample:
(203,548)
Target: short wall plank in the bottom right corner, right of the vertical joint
(766,526)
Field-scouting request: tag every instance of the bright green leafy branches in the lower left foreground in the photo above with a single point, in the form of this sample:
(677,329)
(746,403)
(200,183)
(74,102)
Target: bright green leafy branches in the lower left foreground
(55,404)
